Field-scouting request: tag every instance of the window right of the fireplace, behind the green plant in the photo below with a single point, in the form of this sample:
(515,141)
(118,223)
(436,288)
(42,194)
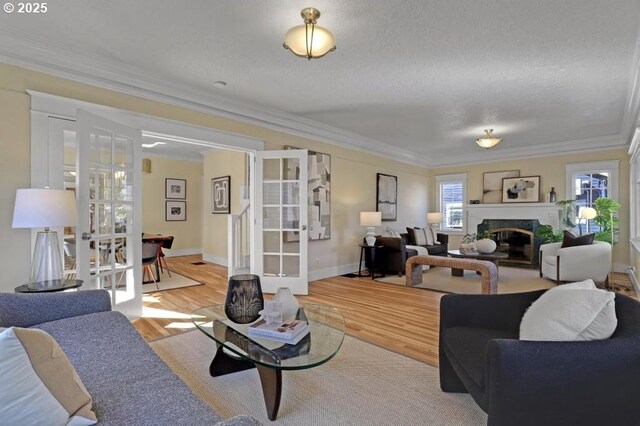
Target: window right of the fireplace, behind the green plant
(586,182)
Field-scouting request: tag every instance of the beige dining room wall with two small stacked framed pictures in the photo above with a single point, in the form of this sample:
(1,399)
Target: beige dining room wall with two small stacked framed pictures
(188,234)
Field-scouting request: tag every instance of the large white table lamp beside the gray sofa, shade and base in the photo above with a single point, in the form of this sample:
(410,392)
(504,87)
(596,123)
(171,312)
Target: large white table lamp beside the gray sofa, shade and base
(45,208)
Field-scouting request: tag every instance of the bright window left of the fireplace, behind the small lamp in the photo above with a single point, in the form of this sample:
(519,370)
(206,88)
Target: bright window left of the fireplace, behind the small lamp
(451,195)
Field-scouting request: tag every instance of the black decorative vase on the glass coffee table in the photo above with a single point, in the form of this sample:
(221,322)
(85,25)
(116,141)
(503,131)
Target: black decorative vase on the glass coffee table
(244,298)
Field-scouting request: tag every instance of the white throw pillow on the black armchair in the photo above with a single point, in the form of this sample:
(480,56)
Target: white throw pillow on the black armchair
(576,311)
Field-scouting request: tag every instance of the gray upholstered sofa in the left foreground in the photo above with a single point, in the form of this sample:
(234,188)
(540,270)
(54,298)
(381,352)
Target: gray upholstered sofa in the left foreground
(129,383)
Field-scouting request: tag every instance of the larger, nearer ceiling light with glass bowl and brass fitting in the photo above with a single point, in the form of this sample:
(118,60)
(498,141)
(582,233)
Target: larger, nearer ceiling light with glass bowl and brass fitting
(309,41)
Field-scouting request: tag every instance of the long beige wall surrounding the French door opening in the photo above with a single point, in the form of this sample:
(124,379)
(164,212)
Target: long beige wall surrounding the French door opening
(353,173)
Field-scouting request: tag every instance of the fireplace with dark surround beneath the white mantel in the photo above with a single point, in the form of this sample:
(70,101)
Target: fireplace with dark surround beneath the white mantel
(516,237)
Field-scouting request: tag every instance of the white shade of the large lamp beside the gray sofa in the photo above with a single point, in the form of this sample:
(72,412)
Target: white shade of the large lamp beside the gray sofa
(44,208)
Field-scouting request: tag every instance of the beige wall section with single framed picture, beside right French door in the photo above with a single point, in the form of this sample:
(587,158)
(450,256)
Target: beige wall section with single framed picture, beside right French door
(217,164)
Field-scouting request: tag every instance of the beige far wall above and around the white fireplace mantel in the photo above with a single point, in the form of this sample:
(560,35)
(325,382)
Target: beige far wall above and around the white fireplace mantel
(552,174)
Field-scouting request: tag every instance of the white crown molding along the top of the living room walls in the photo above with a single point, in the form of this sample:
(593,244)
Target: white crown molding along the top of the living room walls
(130,80)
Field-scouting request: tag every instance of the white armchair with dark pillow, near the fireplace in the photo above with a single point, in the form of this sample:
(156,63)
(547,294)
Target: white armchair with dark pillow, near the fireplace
(576,263)
